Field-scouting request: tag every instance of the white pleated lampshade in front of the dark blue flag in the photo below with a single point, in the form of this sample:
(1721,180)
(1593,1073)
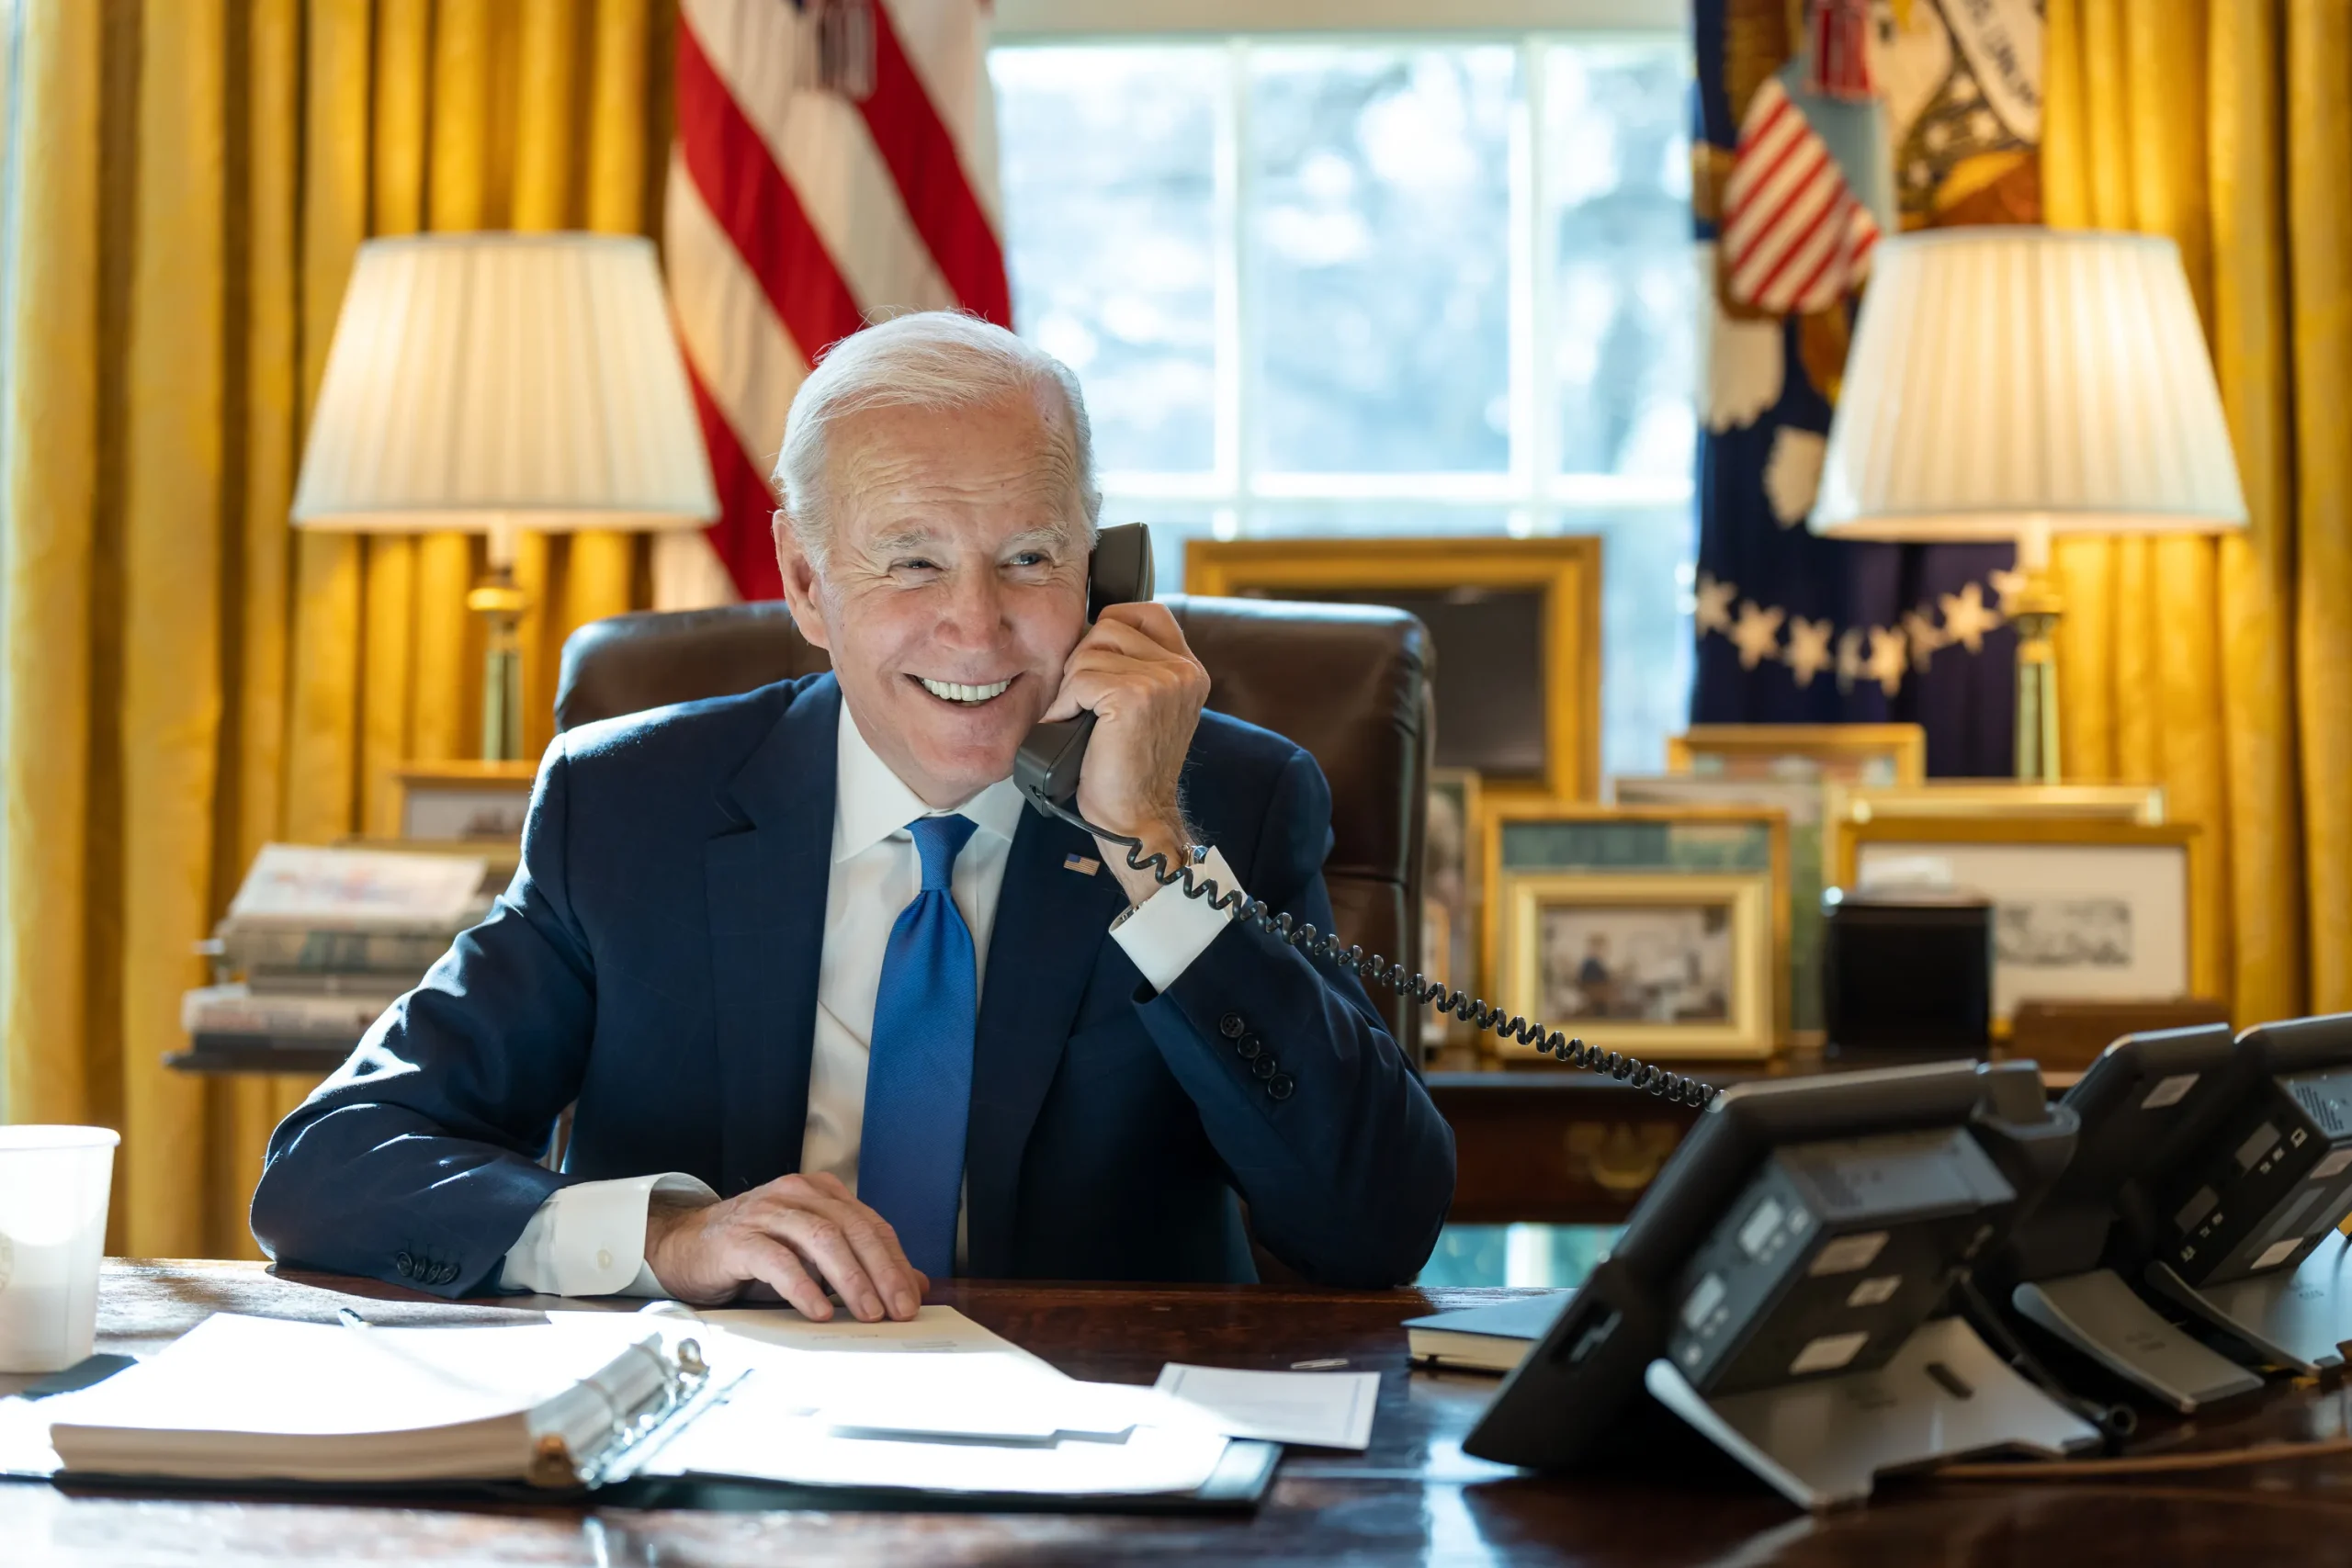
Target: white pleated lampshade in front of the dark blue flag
(2026,382)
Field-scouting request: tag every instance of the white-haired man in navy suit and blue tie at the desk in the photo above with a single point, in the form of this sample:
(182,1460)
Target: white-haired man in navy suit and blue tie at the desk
(836,1012)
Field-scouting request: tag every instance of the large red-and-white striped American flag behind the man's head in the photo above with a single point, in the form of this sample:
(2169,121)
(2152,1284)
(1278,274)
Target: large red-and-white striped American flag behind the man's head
(834,163)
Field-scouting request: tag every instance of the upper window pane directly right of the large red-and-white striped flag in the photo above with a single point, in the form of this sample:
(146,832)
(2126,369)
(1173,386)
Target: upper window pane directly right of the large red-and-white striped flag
(1109,168)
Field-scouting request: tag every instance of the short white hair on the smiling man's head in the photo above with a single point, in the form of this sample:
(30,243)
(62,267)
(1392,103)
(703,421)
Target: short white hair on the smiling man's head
(923,361)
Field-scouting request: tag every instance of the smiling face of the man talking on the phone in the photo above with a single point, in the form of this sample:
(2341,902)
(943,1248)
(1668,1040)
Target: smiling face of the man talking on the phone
(954,584)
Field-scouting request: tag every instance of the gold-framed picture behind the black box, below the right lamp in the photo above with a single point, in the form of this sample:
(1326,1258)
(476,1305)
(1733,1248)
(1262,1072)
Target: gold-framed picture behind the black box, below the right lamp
(2160,909)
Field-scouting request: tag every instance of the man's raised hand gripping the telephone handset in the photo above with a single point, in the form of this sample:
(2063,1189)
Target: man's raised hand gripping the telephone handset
(1147,692)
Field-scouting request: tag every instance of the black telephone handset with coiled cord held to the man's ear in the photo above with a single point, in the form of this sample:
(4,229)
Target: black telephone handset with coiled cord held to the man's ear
(1045,772)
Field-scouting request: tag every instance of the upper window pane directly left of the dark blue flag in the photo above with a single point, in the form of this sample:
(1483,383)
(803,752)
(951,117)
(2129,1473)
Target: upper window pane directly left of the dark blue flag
(1626,304)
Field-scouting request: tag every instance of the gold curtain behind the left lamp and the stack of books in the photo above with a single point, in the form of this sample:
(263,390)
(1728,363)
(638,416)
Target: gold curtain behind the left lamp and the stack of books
(187,678)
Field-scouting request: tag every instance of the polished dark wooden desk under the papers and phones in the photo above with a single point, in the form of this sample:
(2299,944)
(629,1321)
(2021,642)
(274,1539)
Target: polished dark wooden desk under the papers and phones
(1415,1499)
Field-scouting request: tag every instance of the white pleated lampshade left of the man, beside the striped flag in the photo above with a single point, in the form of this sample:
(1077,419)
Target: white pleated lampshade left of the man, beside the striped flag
(505,382)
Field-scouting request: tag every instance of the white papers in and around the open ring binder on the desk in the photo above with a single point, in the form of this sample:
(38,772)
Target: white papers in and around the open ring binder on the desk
(928,1407)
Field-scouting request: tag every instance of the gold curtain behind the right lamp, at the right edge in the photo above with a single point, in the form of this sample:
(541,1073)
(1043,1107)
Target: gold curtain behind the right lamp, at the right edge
(2219,666)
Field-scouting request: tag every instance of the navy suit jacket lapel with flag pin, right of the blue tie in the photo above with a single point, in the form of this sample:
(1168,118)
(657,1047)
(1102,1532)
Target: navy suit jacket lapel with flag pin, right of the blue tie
(1053,923)
